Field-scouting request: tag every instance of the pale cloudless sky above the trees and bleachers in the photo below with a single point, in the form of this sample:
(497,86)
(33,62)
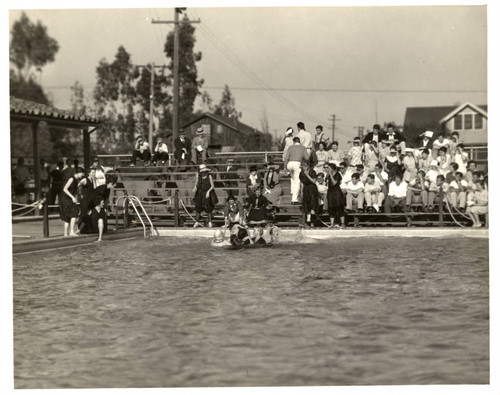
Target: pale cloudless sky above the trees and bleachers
(318,54)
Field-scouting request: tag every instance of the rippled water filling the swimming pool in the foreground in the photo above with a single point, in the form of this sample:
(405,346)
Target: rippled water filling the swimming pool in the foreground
(176,312)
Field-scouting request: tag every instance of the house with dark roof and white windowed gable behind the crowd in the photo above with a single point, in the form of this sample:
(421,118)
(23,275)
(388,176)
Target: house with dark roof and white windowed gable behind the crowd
(470,120)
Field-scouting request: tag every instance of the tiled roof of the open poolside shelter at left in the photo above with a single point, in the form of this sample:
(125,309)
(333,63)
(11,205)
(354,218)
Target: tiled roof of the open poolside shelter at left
(25,110)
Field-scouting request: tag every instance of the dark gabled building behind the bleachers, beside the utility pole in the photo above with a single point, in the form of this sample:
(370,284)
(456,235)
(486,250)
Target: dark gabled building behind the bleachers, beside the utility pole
(225,133)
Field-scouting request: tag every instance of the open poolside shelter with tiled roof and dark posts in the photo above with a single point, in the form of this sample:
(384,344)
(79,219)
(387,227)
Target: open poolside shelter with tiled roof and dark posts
(36,115)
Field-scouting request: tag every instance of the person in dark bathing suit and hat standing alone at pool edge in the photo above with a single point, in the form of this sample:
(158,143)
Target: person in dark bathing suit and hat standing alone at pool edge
(205,197)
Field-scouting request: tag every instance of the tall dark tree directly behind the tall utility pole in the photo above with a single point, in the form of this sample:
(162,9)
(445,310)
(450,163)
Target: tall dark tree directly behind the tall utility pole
(189,85)
